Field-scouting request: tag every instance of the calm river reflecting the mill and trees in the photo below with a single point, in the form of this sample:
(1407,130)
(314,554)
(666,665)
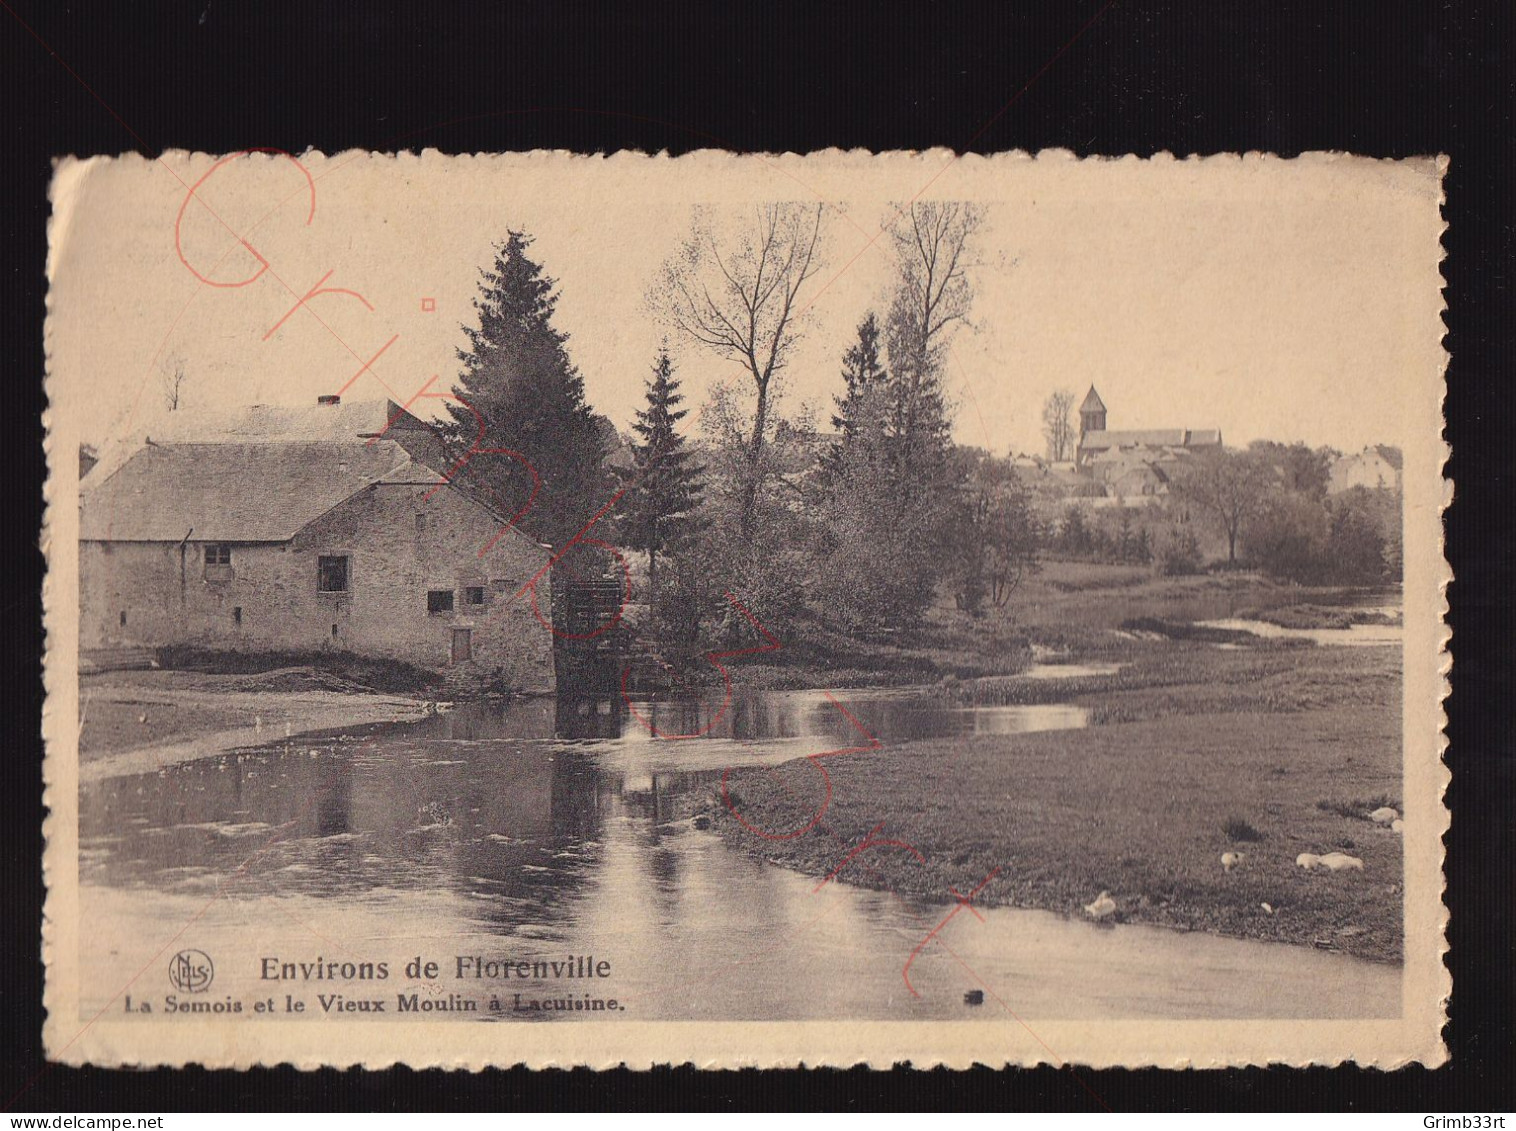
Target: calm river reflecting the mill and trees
(545,830)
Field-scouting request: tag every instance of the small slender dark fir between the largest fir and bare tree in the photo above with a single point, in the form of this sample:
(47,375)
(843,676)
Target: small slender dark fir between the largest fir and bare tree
(663,487)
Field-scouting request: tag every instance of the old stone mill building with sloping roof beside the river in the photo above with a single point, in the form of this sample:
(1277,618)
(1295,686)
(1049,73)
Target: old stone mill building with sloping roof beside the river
(330,527)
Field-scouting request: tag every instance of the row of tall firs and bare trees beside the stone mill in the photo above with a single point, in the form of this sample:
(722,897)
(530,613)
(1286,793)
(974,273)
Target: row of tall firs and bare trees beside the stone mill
(863,527)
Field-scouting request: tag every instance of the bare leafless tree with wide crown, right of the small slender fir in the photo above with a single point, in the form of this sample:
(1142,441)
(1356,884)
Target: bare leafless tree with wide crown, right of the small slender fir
(739,299)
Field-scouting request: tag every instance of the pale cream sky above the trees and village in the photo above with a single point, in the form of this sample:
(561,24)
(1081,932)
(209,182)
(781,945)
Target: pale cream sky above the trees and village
(1270,299)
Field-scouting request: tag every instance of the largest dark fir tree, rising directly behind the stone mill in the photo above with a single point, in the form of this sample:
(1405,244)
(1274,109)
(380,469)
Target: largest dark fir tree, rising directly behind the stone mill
(519,380)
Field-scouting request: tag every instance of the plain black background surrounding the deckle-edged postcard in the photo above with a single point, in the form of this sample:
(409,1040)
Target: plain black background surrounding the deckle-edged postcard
(1085,75)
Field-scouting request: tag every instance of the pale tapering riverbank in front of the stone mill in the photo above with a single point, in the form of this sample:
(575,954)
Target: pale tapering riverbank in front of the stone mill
(136,722)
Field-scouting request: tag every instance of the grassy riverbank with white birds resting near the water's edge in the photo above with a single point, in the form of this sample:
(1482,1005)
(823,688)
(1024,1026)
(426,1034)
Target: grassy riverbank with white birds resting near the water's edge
(1197,751)
